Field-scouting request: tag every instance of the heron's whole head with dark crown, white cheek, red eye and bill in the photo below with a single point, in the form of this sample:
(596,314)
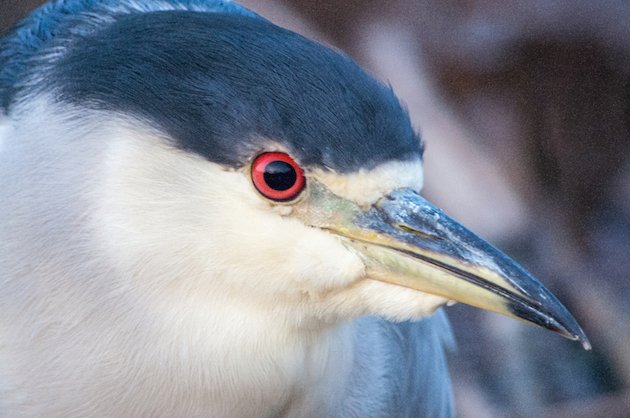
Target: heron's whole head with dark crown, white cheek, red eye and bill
(229,164)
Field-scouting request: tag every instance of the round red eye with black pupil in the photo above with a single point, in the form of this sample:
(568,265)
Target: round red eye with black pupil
(277,176)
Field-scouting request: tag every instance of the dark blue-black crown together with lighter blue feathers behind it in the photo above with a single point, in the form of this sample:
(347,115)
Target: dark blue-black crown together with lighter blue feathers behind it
(211,75)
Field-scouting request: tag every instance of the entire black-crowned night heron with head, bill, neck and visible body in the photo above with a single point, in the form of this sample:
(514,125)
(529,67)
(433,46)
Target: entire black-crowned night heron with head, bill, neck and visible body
(203,214)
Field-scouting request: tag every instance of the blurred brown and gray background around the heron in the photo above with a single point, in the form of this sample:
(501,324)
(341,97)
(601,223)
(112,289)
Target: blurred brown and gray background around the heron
(525,109)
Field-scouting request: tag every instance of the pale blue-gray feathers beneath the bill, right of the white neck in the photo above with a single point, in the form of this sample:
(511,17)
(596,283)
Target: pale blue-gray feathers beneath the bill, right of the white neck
(400,369)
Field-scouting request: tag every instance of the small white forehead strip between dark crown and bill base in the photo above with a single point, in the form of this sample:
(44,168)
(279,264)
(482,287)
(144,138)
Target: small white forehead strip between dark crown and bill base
(365,187)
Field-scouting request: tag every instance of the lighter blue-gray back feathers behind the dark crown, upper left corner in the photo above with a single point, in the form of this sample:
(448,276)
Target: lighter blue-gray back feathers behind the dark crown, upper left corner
(33,36)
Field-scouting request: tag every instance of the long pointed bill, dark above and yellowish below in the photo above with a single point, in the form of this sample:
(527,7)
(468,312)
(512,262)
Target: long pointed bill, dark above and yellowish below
(407,241)
